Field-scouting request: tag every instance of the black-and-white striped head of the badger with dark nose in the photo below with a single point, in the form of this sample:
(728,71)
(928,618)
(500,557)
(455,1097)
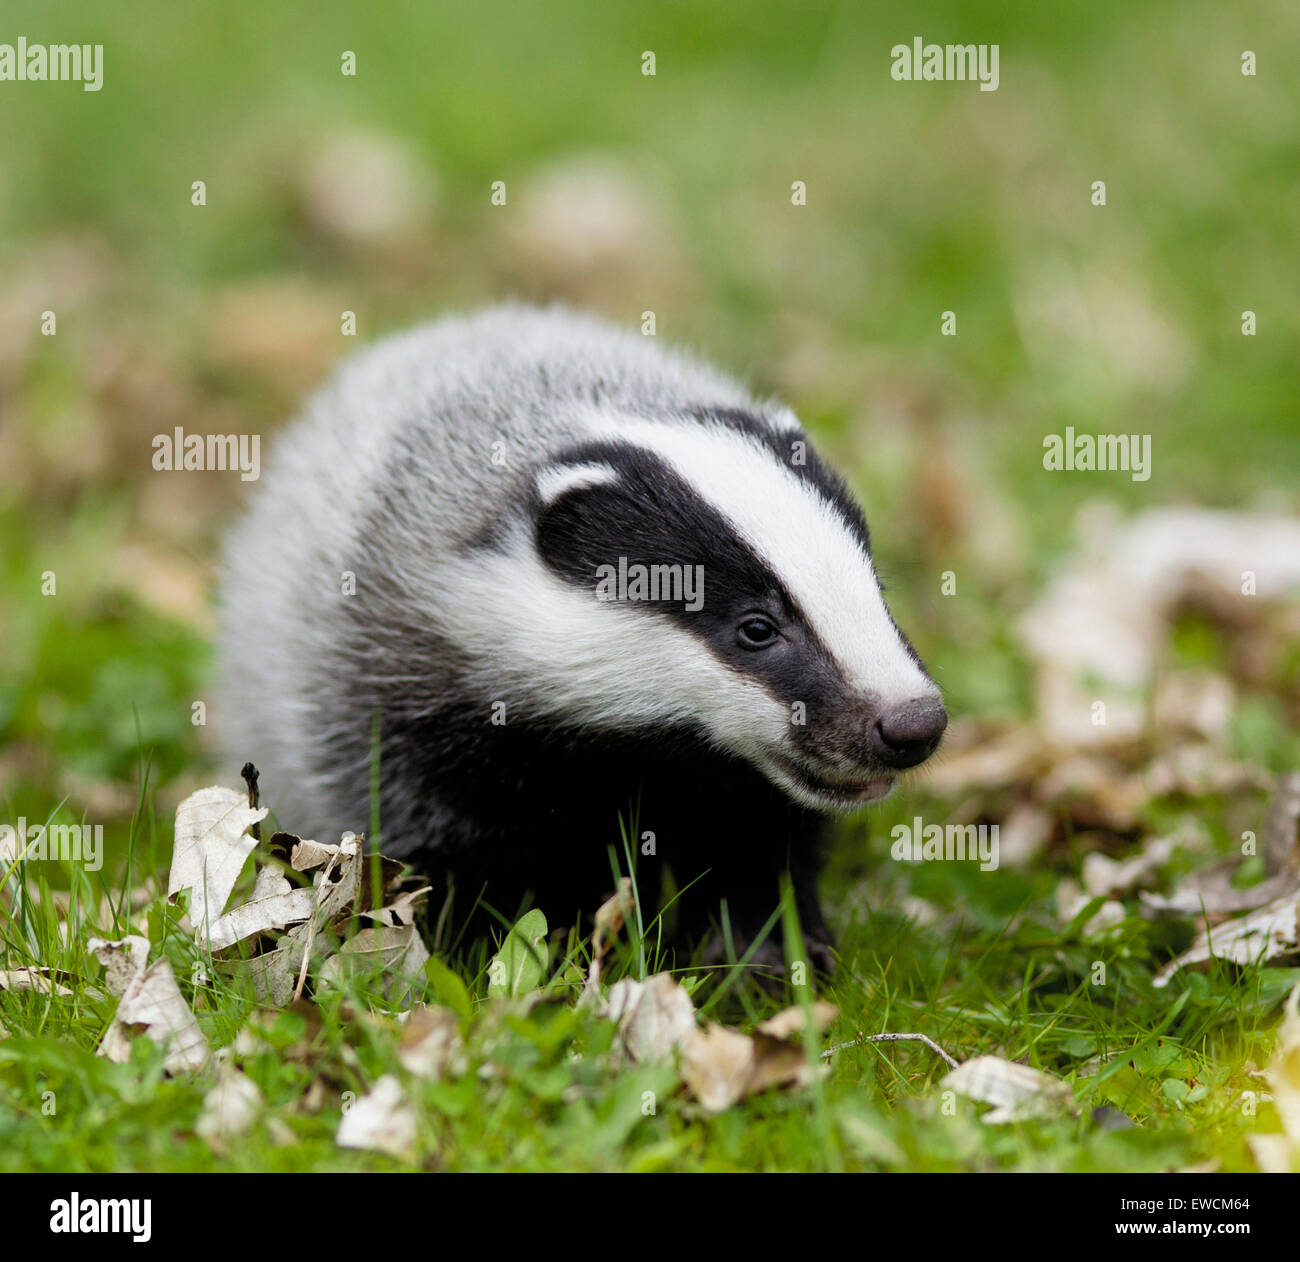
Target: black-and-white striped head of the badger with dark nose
(709,576)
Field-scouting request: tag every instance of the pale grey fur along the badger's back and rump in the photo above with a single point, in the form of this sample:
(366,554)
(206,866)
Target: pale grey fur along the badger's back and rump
(405,437)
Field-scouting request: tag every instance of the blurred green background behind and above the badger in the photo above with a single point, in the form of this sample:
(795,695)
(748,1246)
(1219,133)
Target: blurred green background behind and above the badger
(626,194)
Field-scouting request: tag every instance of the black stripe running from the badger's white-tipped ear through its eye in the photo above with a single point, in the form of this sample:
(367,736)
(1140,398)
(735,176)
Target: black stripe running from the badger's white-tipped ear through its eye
(652,517)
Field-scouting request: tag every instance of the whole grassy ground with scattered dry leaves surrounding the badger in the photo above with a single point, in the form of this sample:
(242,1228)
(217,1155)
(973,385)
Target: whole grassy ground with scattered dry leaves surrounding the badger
(1120,843)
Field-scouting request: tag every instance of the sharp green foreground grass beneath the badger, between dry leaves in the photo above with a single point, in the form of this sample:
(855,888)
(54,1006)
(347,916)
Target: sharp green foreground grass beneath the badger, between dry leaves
(1012,983)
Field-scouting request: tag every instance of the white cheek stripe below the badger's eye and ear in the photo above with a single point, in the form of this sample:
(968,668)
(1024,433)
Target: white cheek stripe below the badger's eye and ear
(605,665)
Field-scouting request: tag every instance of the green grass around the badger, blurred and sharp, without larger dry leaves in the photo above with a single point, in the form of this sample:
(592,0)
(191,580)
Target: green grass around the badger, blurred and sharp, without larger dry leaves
(924,198)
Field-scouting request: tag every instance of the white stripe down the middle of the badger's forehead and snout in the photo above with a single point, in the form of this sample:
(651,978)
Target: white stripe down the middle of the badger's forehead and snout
(801,537)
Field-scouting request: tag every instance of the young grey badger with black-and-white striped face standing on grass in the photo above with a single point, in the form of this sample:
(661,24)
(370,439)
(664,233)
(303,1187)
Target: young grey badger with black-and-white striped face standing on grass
(528,583)
